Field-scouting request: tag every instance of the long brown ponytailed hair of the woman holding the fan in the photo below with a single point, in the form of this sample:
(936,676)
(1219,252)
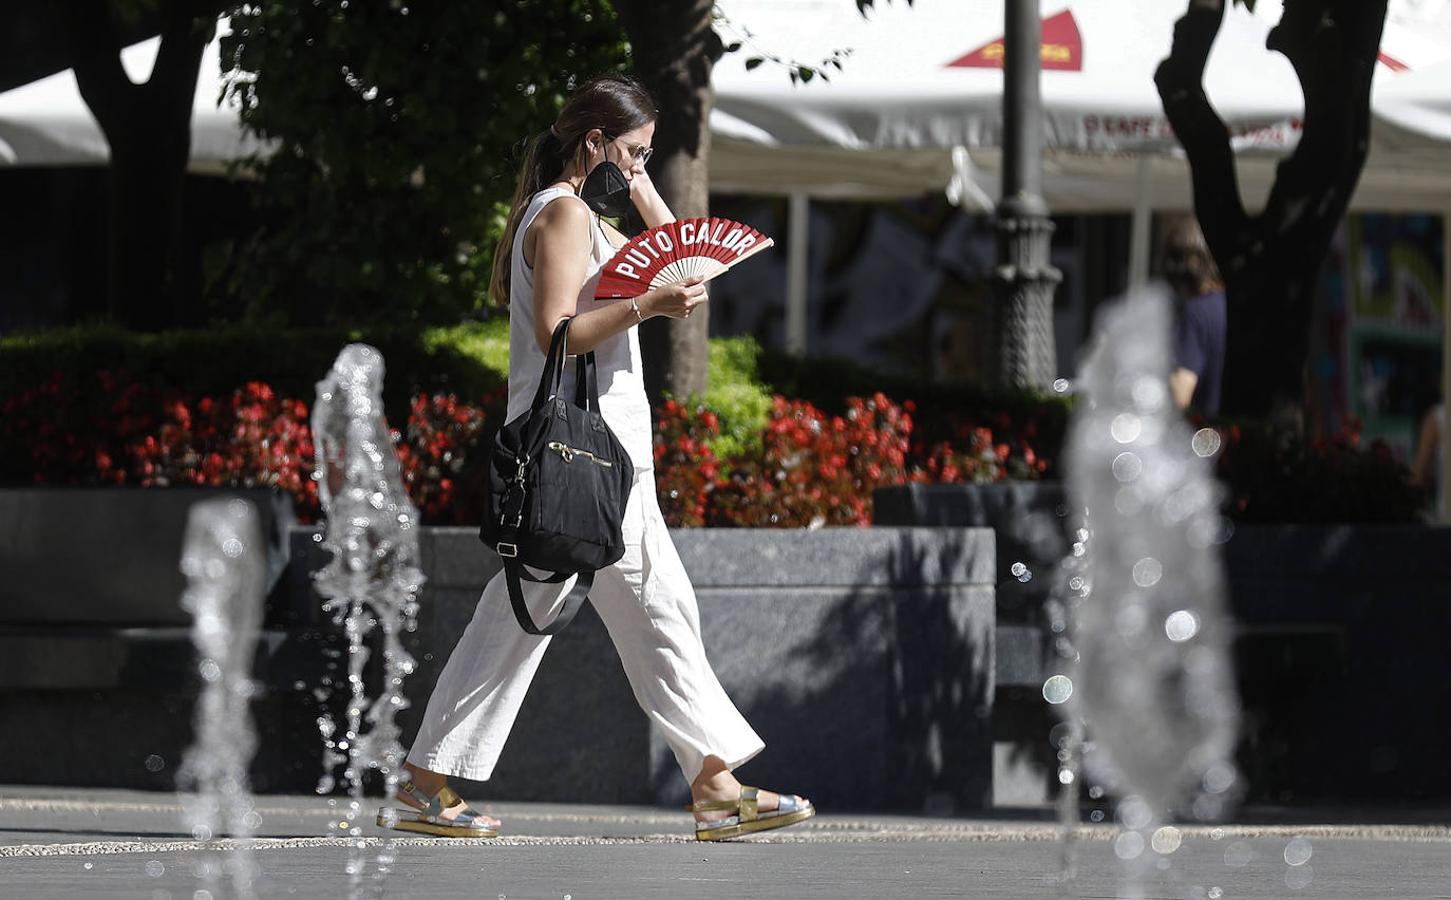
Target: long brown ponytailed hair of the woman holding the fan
(612,104)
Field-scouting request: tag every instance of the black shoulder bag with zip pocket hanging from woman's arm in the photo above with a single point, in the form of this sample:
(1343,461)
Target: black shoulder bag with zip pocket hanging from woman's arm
(559,481)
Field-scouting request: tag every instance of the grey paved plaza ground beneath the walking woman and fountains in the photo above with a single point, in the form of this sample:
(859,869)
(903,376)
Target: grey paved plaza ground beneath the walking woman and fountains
(69,843)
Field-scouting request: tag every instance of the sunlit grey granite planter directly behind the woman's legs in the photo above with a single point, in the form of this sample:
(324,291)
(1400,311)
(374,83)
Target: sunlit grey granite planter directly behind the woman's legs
(864,658)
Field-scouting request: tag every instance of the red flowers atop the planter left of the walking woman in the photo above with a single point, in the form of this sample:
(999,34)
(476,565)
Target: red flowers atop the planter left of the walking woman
(120,432)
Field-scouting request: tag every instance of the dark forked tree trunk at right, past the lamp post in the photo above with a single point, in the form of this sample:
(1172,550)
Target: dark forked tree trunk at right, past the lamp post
(1270,261)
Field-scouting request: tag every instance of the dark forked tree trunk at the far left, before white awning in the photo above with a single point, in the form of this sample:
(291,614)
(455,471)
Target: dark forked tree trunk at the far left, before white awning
(149,128)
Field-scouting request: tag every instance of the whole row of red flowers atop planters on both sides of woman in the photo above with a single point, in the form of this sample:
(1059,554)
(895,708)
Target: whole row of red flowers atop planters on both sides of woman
(813,468)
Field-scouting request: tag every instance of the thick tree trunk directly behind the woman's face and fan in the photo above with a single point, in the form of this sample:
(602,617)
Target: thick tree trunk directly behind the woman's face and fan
(674,50)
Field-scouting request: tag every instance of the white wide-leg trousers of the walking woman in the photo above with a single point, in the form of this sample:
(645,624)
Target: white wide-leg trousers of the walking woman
(649,609)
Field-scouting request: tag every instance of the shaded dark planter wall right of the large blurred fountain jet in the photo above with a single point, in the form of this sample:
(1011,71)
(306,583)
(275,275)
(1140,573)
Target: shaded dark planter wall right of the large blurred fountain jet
(1343,661)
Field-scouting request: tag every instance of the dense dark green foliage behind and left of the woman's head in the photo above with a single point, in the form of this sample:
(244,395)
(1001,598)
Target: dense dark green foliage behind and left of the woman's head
(397,133)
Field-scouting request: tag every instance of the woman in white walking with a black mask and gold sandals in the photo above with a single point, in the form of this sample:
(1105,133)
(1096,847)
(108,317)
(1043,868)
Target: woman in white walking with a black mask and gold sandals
(591,162)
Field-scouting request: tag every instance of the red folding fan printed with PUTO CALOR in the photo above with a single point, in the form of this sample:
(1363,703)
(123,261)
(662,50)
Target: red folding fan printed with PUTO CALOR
(678,250)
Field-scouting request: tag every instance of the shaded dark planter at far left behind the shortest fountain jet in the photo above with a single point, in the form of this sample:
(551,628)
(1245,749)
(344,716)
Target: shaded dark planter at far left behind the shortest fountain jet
(96,655)
